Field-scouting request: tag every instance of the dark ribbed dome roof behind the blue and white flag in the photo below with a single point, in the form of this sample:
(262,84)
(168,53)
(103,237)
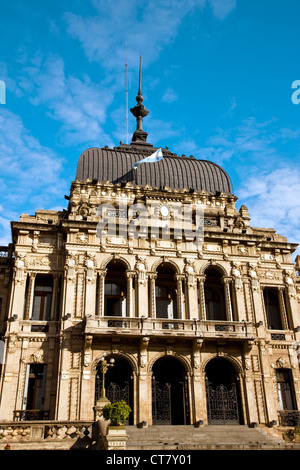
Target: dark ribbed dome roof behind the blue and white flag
(116,165)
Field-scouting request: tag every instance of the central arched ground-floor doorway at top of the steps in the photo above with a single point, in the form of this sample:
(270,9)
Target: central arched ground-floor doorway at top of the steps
(170,403)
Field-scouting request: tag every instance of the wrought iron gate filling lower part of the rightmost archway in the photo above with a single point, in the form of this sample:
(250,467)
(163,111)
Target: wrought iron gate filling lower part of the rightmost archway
(222,405)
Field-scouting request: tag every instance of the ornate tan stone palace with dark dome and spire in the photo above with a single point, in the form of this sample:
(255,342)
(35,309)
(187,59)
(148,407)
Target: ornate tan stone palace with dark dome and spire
(153,269)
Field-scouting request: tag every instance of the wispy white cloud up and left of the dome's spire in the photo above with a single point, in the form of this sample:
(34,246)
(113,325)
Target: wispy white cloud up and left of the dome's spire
(78,104)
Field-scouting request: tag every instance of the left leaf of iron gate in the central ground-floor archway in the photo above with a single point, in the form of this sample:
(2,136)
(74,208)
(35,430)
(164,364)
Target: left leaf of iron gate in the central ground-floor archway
(161,403)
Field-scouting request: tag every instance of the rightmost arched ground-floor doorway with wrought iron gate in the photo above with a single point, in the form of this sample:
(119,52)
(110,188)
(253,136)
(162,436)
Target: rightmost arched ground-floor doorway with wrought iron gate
(222,393)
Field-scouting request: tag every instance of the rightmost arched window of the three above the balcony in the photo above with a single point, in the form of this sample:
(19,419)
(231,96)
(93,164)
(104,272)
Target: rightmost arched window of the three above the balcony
(214,296)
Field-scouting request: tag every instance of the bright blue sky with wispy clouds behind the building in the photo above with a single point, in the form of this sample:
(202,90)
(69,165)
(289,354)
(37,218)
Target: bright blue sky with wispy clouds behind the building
(217,79)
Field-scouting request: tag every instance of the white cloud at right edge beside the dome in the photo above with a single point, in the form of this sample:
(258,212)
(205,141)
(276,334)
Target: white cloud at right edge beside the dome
(269,180)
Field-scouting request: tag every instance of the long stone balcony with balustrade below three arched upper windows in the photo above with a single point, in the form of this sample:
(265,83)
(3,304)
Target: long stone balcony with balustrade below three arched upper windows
(205,329)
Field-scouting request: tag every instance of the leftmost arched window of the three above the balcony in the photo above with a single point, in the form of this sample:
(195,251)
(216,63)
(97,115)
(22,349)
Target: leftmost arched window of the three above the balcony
(115,290)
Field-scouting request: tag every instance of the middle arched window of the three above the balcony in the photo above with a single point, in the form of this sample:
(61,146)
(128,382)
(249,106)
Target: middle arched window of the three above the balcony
(165,292)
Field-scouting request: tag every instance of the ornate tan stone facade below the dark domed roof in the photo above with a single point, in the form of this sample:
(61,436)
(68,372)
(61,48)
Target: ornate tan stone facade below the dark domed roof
(54,351)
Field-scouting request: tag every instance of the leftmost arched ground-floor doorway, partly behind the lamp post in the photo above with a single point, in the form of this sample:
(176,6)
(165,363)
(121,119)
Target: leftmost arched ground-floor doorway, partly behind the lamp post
(118,382)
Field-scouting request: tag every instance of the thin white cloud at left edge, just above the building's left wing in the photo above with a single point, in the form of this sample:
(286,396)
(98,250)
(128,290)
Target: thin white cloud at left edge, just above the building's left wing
(31,174)
